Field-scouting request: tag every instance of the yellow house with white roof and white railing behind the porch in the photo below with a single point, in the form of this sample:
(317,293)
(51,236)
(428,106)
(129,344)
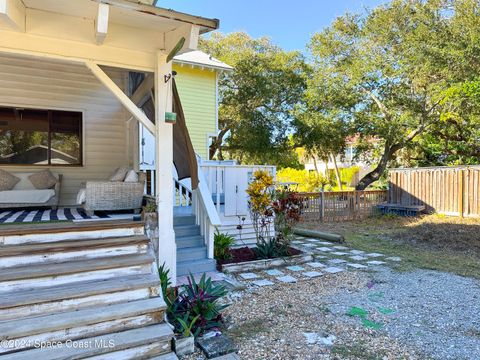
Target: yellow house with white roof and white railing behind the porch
(196,77)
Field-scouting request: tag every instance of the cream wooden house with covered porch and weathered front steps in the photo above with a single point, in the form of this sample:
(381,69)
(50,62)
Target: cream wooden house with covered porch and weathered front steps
(69,84)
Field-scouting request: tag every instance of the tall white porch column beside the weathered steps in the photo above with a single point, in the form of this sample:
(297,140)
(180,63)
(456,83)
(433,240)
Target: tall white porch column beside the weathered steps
(167,249)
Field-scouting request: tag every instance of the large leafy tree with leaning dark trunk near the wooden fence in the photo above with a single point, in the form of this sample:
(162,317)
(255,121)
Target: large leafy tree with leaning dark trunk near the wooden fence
(387,74)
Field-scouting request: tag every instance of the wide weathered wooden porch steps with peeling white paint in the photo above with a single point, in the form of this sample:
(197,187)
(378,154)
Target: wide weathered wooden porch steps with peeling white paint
(95,284)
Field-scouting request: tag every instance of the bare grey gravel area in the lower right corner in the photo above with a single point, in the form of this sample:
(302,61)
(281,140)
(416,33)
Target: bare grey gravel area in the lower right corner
(433,311)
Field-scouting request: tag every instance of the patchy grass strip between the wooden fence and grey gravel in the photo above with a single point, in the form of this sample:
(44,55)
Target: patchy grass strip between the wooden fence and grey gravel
(435,242)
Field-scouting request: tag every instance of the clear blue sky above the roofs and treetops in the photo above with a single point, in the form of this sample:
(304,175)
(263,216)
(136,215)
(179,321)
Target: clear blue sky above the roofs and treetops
(289,24)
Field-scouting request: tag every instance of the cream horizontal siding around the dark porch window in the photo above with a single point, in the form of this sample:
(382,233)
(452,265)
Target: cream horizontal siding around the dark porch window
(48,84)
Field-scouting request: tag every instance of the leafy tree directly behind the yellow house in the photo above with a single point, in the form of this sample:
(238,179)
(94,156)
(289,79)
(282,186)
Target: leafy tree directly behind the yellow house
(256,99)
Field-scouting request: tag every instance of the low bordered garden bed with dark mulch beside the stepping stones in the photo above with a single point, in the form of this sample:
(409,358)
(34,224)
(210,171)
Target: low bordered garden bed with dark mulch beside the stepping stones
(244,259)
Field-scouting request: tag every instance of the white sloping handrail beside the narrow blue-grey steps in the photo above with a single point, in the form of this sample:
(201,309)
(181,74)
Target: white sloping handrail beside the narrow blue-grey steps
(205,212)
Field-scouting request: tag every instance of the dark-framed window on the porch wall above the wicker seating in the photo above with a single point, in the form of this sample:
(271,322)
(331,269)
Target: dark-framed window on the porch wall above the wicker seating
(40,137)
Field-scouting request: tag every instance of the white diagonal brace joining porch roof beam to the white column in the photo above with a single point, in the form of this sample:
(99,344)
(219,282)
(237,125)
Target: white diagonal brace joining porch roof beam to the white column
(120,95)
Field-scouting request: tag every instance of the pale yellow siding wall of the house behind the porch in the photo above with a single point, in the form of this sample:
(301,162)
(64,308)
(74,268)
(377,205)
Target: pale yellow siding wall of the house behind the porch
(197,89)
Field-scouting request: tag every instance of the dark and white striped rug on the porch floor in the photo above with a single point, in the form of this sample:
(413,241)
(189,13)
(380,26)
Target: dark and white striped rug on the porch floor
(26,216)
